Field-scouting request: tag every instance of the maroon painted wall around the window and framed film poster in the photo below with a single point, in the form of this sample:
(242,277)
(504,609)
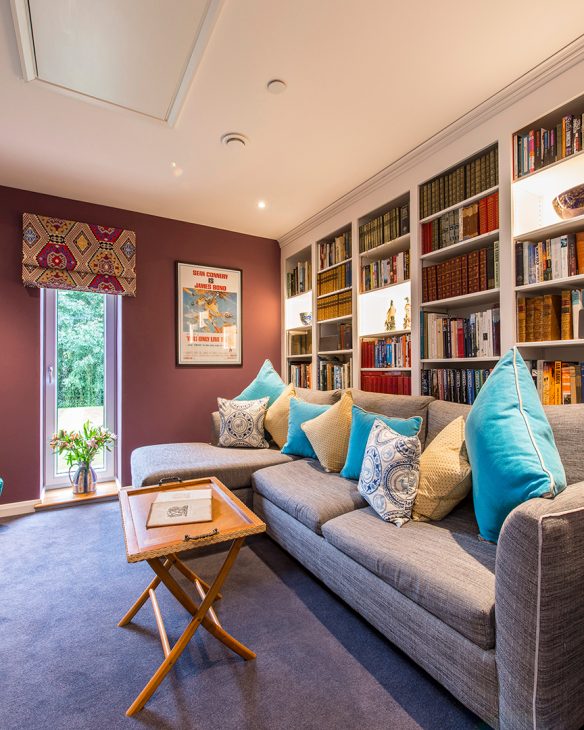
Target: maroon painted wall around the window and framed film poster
(160,402)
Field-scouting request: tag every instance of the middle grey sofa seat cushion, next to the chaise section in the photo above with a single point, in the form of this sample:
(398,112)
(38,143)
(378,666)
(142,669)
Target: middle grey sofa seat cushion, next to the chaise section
(306,492)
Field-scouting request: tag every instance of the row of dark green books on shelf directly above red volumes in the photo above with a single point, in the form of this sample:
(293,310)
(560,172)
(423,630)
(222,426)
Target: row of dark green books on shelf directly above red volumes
(465,181)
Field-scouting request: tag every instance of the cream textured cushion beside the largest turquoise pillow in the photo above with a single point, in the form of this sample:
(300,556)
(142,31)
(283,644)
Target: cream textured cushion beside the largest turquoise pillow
(445,474)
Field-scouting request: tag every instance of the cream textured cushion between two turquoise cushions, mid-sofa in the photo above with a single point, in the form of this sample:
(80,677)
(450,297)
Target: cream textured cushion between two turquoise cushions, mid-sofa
(329,433)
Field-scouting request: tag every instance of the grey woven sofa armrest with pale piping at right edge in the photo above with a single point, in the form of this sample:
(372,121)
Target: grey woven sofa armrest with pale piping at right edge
(539,611)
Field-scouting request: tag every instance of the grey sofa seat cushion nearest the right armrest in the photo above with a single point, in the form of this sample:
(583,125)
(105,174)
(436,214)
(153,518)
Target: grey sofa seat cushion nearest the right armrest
(442,566)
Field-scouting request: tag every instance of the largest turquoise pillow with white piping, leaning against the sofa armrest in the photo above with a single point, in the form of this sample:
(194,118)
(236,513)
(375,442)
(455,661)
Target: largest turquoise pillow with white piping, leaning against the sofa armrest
(510,445)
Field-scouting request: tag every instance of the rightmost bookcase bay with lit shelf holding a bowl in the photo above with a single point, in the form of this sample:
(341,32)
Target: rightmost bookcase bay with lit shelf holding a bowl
(549,253)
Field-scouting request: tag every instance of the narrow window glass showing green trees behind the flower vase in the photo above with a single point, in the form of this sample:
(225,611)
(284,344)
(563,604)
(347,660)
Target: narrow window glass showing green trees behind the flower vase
(80,363)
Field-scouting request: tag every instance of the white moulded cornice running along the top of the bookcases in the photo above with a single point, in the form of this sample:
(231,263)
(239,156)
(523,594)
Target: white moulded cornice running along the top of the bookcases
(533,79)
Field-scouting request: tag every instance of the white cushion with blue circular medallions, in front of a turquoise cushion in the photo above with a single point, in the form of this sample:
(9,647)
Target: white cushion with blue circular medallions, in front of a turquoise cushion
(390,473)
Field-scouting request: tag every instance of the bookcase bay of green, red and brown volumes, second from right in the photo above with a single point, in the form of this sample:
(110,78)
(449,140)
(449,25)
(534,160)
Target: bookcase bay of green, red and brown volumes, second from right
(460,276)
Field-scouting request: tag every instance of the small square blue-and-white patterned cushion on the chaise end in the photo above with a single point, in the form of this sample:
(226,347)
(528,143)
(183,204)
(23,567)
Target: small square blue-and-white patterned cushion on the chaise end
(242,423)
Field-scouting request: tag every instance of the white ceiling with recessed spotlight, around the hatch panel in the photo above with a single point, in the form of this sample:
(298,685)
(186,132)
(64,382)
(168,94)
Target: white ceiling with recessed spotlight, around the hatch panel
(368,80)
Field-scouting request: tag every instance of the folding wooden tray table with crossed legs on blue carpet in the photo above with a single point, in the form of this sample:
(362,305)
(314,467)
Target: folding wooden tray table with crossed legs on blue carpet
(160,546)
